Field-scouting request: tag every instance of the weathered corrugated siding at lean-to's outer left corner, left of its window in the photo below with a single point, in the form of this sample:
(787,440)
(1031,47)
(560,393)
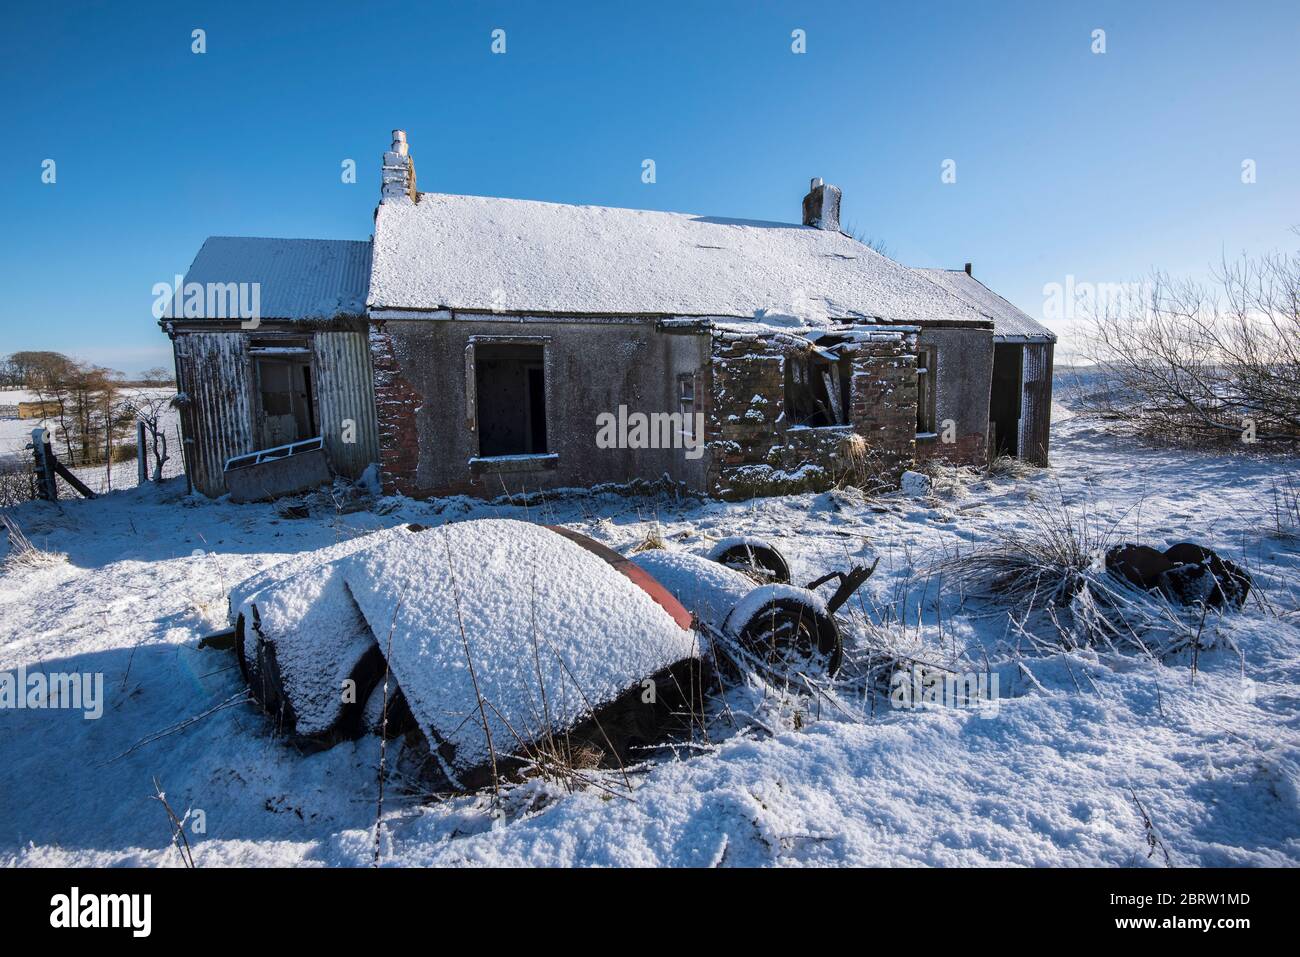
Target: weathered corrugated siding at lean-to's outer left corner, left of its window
(218,419)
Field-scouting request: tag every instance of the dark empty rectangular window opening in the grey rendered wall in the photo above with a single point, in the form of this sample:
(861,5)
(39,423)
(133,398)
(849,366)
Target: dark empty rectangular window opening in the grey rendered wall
(510,387)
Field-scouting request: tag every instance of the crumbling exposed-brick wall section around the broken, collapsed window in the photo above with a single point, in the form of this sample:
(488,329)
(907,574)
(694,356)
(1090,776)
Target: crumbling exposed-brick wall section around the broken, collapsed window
(756,452)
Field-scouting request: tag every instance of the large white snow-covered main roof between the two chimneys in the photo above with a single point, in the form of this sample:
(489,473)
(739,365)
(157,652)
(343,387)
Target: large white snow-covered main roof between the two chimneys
(510,256)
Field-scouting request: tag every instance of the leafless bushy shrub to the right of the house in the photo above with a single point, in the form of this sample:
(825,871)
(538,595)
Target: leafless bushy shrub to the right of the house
(1195,363)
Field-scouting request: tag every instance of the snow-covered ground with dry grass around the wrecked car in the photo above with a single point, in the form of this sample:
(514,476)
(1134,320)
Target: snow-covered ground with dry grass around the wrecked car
(1081,748)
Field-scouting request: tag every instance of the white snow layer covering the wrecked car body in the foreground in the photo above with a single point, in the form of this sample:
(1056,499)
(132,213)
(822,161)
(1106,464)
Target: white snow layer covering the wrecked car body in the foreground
(509,605)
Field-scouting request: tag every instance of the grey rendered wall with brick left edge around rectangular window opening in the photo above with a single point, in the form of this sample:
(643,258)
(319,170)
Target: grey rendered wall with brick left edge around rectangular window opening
(592,366)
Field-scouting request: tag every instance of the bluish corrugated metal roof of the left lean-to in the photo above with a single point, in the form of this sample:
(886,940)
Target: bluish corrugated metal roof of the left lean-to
(297,279)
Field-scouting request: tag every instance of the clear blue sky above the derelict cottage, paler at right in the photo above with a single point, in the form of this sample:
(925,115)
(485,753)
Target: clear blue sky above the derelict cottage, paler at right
(1068,162)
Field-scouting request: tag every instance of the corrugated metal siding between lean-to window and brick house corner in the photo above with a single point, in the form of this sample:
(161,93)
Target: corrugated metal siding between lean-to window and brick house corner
(345,391)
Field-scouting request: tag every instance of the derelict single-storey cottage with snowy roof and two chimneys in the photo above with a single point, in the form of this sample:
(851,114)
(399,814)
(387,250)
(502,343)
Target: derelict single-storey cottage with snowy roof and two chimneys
(474,344)
